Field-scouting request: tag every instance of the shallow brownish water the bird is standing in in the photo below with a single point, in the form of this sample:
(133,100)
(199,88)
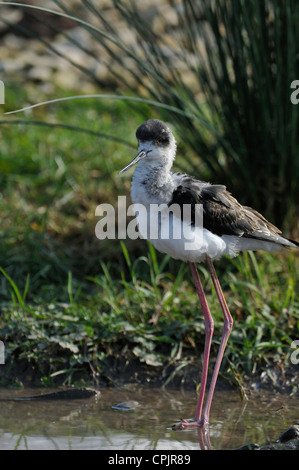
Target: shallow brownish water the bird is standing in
(93,424)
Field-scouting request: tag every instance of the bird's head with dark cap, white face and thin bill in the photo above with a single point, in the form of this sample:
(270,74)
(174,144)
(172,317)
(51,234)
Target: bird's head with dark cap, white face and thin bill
(156,145)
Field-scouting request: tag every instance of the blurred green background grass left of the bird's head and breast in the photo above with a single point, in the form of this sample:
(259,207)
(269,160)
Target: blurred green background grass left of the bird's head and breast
(52,179)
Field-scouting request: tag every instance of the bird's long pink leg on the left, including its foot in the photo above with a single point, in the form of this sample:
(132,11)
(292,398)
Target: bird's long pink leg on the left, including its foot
(209,329)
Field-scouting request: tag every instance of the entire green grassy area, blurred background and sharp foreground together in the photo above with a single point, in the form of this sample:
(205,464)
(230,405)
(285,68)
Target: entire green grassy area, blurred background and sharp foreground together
(73,306)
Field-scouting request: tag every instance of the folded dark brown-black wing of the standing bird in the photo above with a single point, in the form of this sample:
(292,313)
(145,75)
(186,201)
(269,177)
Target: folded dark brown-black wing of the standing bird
(222,213)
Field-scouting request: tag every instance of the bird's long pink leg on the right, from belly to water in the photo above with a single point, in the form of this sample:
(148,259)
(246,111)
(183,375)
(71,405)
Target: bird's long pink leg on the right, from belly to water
(227,328)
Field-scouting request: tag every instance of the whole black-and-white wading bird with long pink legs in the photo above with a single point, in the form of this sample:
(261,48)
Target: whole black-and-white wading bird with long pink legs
(218,223)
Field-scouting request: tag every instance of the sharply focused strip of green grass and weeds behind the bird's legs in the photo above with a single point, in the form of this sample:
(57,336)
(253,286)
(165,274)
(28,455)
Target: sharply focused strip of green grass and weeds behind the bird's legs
(151,316)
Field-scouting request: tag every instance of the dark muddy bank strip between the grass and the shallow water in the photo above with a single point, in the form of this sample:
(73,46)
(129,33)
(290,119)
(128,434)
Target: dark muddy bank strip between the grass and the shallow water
(276,377)
